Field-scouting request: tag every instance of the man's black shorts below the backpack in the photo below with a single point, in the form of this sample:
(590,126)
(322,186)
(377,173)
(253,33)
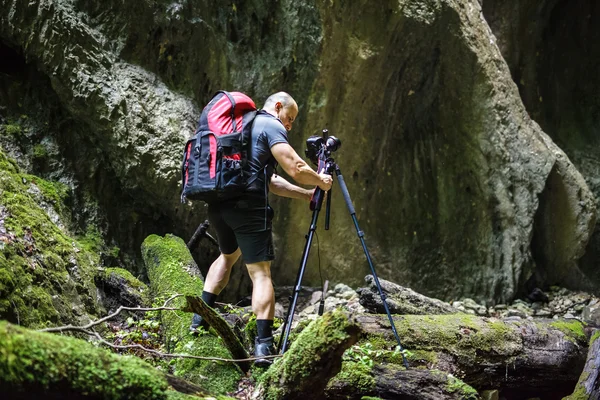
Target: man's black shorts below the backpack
(246,224)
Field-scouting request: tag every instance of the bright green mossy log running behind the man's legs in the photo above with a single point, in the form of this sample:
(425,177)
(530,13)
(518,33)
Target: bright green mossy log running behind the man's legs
(172,270)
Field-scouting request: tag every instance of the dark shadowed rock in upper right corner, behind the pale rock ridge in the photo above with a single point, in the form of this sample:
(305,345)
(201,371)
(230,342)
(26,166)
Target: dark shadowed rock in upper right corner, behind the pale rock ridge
(550,49)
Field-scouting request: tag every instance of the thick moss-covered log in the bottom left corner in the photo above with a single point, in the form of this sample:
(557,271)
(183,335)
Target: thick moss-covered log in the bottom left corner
(34,362)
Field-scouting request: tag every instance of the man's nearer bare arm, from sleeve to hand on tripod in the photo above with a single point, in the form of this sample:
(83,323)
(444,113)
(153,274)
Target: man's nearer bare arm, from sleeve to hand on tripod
(297,168)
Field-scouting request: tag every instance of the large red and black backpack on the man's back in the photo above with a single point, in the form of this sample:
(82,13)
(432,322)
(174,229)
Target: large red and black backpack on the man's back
(215,160)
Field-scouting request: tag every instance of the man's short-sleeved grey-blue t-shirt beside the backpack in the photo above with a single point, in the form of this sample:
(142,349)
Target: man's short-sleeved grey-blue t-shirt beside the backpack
(266,132)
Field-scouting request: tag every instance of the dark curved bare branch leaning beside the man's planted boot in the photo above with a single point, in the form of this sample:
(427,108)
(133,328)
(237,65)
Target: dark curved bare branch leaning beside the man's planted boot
(231,341)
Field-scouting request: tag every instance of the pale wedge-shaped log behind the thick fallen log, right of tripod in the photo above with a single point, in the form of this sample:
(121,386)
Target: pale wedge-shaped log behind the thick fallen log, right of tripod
(400,300)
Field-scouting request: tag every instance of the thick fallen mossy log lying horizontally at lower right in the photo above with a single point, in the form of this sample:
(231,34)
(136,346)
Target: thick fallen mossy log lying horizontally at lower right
(486,353)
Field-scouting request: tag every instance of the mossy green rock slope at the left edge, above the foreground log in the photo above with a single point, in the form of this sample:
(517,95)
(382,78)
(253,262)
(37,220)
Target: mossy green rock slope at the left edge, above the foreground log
(46,275)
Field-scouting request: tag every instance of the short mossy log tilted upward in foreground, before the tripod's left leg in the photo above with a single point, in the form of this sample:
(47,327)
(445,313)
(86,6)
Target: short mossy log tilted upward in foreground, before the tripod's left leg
(312,359)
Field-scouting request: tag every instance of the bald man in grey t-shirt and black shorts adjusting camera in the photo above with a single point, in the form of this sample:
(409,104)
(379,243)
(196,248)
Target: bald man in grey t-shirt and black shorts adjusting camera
(243,225)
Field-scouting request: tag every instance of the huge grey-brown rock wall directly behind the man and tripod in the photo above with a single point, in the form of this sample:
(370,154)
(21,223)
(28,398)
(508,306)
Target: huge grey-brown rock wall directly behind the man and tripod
(451,179)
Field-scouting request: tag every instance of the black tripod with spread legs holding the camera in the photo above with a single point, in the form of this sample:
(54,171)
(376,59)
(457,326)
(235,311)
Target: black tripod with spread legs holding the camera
(328,165)
